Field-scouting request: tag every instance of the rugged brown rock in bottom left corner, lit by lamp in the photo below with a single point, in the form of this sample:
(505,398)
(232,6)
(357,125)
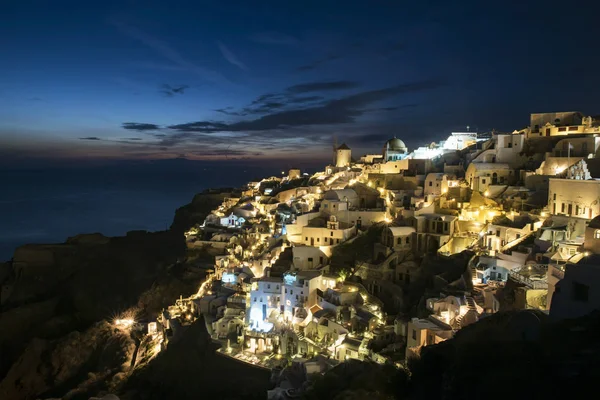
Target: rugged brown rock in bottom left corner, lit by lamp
(51,368)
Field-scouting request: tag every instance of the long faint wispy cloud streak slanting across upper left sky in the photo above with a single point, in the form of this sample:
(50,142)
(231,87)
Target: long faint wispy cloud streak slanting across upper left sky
(162,48)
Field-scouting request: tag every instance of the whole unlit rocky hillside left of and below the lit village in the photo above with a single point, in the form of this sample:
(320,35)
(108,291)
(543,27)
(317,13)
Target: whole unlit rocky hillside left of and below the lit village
(57,301)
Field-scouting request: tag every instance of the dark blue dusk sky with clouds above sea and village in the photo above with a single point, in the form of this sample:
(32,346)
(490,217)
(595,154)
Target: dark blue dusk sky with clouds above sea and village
(277,79)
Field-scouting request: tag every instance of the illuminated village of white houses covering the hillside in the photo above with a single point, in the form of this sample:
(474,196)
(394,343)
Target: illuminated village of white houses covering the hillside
(525,204)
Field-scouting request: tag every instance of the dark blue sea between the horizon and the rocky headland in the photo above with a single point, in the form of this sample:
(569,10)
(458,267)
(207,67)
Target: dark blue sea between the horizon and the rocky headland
(47,205)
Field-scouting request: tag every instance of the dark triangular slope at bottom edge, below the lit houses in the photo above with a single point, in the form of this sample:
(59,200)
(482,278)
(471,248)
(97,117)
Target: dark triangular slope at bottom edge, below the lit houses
(190,369)
